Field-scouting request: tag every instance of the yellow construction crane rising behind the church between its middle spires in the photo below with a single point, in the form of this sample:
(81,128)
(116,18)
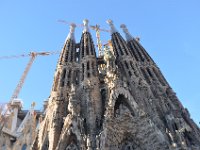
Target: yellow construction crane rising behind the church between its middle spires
(97,29)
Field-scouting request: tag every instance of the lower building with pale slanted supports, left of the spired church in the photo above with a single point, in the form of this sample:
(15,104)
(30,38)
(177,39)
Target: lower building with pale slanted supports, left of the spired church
(18,127)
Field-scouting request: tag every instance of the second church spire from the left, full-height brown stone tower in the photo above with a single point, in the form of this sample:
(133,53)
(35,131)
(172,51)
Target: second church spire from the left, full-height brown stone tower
(90,82)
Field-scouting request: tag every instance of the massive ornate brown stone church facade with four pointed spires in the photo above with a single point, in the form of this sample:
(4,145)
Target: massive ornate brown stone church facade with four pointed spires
(128,105)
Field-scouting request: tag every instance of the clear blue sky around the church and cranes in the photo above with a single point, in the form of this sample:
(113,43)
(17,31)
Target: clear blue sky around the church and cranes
(169,31)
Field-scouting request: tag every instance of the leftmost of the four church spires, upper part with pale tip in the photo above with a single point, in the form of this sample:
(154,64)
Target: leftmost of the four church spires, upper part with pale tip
(64,75)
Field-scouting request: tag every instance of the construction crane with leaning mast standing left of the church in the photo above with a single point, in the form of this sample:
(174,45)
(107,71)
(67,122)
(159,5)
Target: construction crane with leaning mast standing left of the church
(17,90)
